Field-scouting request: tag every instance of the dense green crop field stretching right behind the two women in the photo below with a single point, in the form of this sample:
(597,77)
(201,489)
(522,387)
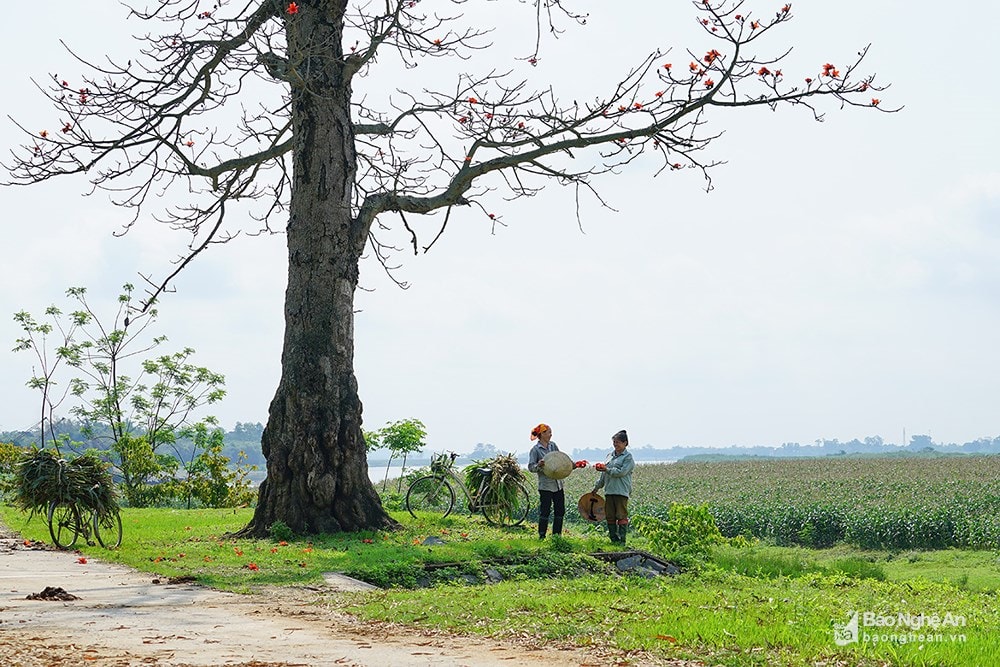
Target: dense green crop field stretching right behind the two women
(872,503)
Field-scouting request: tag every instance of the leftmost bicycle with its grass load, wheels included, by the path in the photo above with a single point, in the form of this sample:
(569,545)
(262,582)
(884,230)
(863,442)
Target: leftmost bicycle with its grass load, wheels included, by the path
(78,494)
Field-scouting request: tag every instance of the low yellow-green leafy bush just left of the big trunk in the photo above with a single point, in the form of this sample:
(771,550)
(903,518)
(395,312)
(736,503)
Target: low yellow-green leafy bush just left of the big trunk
(209,477)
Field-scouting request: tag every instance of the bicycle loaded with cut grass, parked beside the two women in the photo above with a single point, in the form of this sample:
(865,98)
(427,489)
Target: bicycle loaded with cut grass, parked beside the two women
(435,493)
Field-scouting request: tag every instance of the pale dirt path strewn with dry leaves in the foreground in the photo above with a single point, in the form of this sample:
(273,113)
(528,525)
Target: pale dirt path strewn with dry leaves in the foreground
(123,618)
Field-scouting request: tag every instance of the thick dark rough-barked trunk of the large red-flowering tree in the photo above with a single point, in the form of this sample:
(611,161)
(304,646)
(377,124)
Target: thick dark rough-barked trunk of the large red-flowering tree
(317,467)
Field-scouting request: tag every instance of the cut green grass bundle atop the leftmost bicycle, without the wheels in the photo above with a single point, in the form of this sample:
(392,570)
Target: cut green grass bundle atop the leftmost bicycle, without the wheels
(43,477)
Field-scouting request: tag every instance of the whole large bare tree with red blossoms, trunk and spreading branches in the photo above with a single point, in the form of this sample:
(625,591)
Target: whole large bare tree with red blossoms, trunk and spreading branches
(336,162)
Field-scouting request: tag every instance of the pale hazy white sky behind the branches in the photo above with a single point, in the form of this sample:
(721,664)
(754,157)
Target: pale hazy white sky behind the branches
(840,281)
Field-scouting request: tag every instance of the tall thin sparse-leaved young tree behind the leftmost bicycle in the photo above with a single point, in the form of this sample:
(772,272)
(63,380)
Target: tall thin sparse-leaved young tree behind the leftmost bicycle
(139,414)
